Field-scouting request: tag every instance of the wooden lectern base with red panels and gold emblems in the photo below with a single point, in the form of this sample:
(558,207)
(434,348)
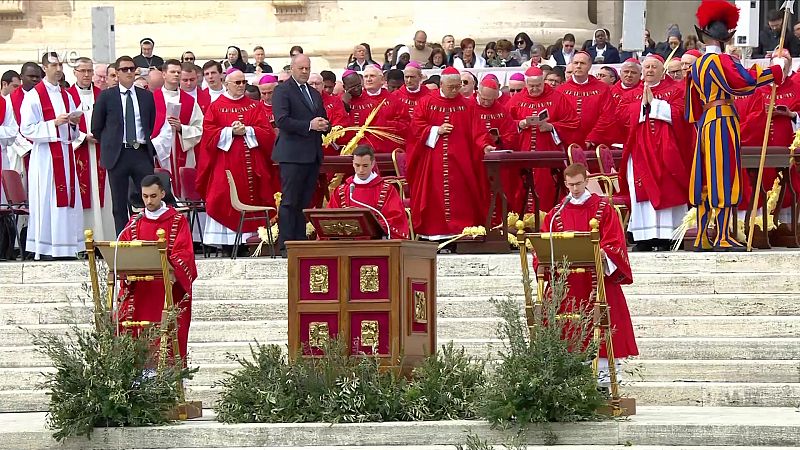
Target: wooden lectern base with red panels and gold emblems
(373,294)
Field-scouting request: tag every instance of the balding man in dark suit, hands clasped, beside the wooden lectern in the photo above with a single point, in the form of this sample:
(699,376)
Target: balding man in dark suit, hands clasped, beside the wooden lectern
(300,117)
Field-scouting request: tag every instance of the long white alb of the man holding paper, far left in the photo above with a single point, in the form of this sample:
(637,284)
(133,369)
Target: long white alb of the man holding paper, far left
(52,230)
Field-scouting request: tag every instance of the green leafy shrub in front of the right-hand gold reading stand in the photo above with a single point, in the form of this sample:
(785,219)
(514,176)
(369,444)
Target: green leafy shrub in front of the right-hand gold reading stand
(543,375)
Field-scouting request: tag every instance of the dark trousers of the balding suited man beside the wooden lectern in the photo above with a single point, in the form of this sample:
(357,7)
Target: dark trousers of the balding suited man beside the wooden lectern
(298,184)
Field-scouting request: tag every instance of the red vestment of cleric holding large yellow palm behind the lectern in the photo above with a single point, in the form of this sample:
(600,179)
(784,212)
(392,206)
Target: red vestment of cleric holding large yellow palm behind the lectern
(392,118)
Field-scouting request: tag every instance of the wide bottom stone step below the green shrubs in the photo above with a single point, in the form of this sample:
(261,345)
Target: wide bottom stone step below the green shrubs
(655,425)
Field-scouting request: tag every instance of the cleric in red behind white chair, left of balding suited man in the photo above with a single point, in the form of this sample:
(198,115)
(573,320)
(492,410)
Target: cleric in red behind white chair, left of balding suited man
(236,138)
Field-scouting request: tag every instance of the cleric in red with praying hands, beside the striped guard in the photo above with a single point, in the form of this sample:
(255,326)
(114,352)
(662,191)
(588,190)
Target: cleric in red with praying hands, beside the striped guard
(656,158)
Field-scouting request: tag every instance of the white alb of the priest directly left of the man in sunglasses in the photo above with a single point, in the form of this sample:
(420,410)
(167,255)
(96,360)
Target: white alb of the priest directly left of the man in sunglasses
(97,218)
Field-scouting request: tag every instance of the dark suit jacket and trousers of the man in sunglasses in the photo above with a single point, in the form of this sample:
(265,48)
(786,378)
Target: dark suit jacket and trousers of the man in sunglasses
(122,162)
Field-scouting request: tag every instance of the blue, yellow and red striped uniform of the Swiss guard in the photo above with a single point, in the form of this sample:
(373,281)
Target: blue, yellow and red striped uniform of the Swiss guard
(715,180)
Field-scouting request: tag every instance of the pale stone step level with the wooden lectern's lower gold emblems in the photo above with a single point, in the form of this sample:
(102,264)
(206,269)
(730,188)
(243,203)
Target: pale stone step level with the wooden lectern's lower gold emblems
(461,328)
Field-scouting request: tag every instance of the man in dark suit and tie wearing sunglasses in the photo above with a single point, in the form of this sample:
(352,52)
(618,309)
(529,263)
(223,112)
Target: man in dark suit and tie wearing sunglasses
(123,120)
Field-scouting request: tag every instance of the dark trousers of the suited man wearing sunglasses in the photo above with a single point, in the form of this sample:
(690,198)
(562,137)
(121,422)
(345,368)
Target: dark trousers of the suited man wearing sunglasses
(132,164)
